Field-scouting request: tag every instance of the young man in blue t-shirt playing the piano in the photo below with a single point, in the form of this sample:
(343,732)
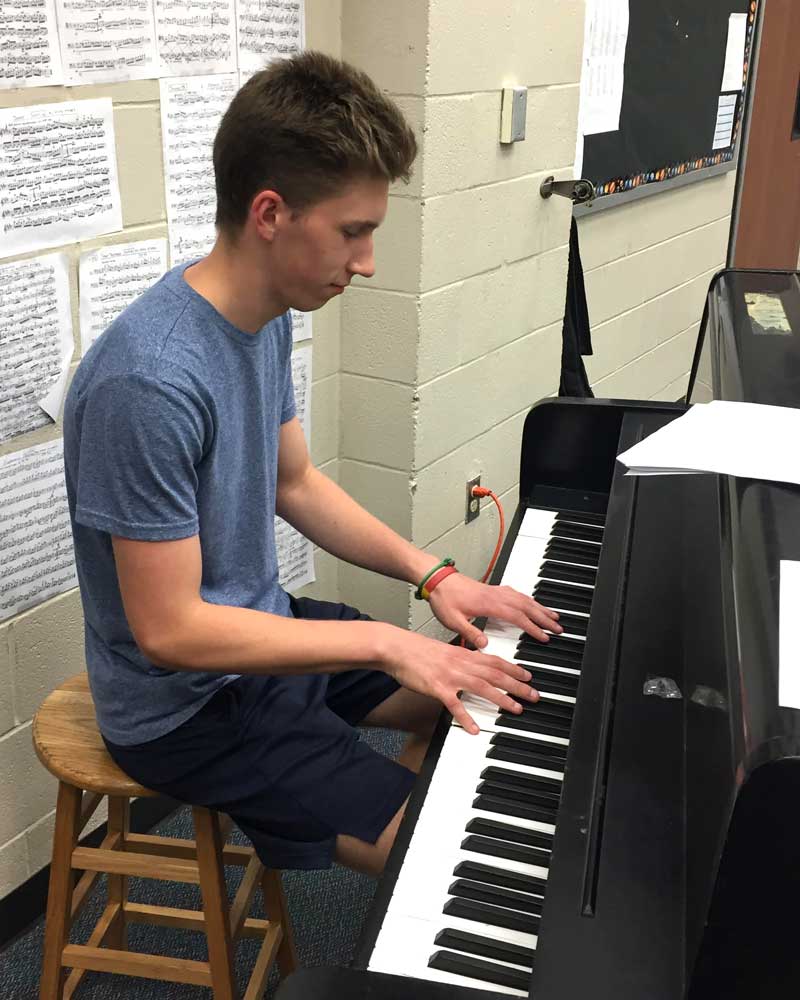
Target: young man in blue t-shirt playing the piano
(211,684)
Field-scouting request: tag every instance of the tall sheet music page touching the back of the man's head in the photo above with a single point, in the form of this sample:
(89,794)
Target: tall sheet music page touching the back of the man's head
(191,108)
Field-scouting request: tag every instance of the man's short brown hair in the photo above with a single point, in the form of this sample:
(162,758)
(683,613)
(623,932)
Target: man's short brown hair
(305,127)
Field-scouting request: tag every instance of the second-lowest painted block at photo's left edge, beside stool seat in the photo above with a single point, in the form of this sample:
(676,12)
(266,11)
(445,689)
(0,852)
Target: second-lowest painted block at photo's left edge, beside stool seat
(27,789)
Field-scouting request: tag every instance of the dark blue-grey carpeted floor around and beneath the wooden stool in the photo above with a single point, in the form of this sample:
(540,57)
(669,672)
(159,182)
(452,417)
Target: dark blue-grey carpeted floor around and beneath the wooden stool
(327,907)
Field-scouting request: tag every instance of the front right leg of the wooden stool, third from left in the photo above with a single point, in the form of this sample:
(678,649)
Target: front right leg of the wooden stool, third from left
(215,902)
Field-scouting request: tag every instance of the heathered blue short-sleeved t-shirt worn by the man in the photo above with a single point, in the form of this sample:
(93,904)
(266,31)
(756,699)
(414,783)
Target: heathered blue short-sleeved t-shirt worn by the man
(171,430)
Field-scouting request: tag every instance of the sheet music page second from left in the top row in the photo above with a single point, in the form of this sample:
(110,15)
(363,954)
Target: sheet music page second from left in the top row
(103,42)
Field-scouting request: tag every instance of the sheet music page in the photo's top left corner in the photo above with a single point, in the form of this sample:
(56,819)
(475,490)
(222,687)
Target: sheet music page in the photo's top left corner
(29,54)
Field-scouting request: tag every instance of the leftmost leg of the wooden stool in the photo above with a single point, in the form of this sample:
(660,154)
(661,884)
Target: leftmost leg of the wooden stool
(59,897)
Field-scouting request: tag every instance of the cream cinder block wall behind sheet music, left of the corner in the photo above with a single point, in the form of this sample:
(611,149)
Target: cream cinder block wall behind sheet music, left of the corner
(43,646)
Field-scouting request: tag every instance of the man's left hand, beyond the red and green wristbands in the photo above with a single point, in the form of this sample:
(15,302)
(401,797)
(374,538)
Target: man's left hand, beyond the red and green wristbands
(459,598)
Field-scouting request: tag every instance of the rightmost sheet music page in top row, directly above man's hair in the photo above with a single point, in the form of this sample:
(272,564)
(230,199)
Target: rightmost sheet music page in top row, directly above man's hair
(268,30)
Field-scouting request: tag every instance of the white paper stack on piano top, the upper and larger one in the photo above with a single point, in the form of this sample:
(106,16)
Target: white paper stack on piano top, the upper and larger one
(751,440)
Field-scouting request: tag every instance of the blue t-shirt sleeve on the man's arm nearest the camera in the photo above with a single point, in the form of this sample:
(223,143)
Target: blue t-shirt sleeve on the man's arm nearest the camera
(141,442)
